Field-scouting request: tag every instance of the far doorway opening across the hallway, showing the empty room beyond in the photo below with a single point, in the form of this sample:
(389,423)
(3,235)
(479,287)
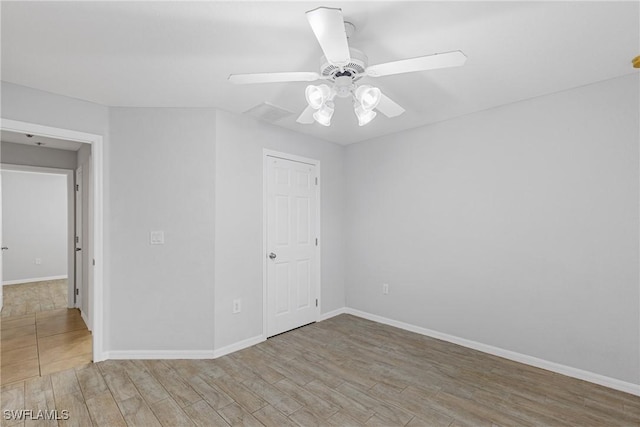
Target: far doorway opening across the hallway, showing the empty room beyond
(37,223)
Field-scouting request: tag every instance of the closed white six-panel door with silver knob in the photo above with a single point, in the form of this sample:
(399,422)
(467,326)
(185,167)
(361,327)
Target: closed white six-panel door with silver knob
(291,242)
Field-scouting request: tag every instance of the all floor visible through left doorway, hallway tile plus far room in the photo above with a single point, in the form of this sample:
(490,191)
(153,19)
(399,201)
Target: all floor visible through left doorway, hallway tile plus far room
(36,339)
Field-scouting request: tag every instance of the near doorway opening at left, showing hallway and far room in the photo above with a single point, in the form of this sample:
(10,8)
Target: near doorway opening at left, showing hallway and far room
(44,322)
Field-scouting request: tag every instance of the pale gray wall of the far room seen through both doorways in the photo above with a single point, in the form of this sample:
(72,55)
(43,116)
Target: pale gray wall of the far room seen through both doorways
(34,225)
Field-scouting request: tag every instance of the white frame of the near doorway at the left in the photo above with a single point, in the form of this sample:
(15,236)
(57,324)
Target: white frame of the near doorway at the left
(96,224)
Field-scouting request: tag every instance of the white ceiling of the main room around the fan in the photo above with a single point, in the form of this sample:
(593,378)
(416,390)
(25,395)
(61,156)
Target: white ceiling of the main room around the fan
(179,54)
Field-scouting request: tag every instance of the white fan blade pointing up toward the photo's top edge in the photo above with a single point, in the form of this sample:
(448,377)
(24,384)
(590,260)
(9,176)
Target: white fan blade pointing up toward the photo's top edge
(328,26)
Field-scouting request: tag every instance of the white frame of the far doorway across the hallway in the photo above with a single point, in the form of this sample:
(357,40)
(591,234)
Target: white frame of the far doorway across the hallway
(71,280)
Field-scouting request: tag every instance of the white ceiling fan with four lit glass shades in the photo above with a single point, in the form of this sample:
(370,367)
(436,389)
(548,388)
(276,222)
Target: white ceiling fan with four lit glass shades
(342,68)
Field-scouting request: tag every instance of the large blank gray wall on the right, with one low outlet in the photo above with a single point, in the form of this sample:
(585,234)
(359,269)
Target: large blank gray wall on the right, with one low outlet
(515,227)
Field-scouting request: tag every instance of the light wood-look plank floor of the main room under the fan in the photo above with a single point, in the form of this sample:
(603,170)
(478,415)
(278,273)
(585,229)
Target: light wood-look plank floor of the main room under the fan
(344,371)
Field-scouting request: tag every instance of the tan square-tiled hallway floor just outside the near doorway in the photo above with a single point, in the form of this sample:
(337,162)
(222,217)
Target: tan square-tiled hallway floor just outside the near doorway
(43,342)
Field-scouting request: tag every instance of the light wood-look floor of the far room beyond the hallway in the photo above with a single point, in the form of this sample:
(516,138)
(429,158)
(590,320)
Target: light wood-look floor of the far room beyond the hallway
(27,298)
